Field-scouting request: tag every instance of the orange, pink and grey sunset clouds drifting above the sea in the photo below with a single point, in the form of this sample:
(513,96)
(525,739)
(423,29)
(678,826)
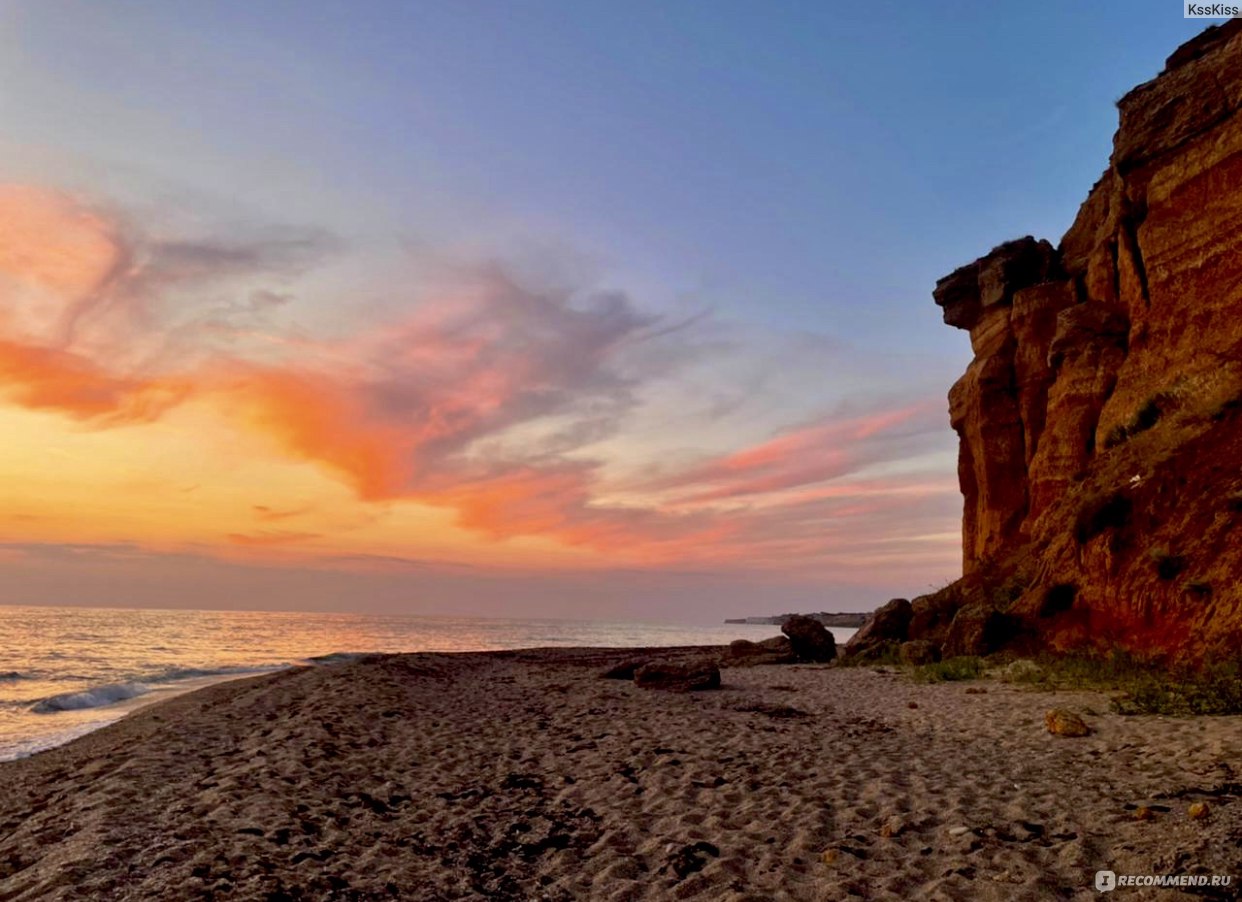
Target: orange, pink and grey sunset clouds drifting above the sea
(489,398)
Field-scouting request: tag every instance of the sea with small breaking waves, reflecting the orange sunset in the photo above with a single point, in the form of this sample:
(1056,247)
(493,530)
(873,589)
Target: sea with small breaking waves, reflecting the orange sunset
(68,672)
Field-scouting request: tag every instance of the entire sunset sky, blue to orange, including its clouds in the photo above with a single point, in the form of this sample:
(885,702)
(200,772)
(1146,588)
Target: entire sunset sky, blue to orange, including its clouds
(591,310)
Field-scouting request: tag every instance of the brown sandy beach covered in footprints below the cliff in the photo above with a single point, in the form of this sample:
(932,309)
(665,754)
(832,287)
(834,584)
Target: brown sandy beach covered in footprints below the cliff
(526,776)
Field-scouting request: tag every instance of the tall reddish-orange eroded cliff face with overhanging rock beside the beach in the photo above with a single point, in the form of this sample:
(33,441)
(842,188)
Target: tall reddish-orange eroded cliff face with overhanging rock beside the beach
(1101,419)
